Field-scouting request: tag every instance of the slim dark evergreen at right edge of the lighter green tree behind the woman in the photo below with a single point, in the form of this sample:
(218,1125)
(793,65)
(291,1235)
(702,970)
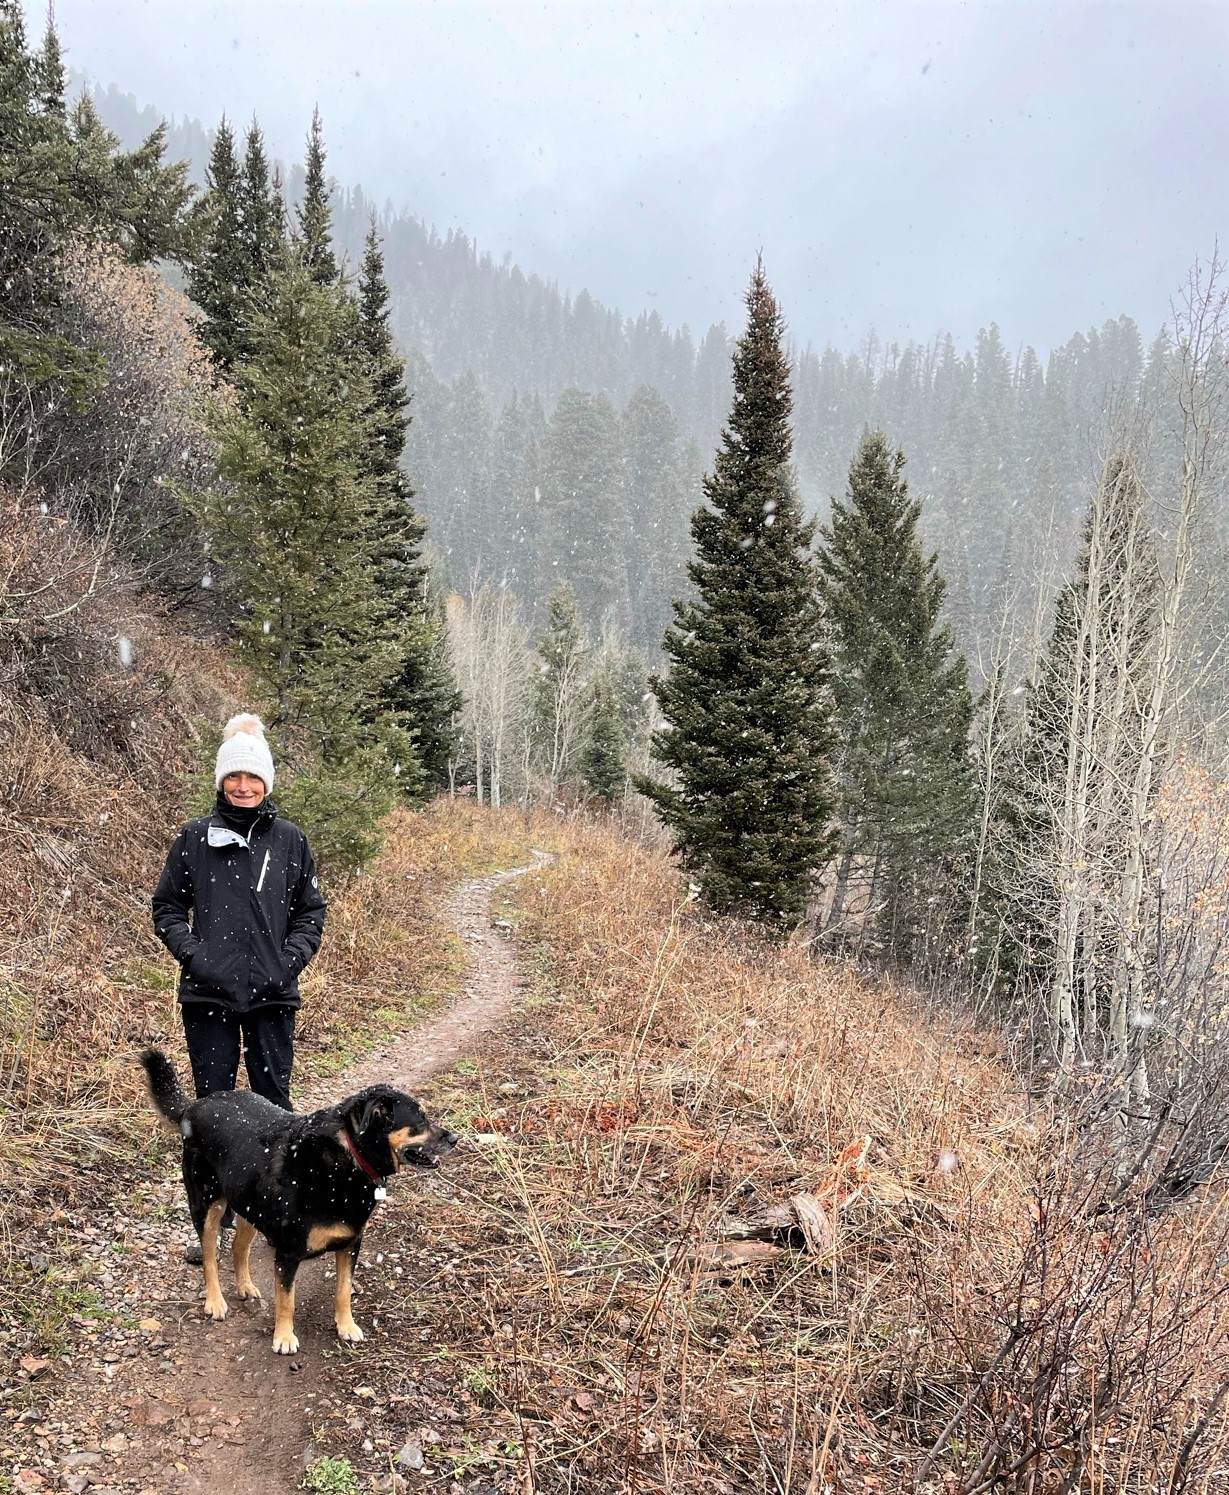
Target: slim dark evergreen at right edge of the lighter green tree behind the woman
(424,694)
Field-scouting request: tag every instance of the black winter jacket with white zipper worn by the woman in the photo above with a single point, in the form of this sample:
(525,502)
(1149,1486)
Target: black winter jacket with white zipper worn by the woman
(256,911)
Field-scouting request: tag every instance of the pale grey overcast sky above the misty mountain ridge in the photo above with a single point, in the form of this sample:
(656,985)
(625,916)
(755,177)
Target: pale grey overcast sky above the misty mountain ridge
(908,167)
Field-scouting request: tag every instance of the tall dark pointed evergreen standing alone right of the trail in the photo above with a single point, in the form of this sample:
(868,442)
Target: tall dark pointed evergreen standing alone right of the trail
(747,697)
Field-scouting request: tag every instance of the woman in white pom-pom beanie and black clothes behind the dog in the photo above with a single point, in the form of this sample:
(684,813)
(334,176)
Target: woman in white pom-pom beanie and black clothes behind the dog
(238,905)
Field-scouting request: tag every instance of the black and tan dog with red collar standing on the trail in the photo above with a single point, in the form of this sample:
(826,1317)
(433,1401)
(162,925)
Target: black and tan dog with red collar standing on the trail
(307,1183)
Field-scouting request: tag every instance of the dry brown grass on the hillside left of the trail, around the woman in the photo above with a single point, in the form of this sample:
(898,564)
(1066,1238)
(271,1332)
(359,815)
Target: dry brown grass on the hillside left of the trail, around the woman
(99,745)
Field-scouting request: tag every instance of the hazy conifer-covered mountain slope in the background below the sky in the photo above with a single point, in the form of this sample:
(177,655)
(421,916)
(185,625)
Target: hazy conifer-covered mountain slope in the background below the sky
(523,479)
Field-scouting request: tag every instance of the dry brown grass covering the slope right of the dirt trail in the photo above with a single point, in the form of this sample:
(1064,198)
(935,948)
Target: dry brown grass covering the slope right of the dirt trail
(974,1327)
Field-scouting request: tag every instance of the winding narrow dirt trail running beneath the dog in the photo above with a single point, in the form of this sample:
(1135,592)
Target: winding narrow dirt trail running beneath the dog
(221,1412)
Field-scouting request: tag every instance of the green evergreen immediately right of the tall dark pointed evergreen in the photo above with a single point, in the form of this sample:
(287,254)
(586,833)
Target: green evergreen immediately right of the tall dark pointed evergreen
(904,706)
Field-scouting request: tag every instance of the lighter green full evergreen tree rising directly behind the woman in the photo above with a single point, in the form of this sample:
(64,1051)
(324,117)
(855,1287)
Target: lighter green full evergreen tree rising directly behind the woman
(292,527)
